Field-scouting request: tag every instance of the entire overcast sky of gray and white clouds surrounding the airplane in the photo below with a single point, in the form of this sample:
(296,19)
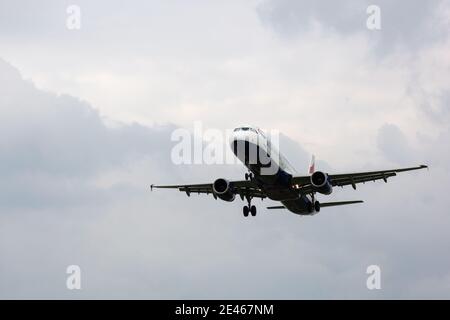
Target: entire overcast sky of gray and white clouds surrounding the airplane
(86,118)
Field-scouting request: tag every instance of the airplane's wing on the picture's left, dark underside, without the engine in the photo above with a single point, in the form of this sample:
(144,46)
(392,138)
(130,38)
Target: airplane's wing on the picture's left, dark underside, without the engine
(242,188)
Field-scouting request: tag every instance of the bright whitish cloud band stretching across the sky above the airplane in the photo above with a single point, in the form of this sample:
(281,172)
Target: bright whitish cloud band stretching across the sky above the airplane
(167,66)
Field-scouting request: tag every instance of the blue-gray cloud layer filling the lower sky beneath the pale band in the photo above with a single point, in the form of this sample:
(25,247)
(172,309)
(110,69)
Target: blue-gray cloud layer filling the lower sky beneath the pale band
(75,191)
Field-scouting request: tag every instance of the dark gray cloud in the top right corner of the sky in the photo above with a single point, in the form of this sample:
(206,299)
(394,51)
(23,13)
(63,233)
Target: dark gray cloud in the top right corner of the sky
(408,24)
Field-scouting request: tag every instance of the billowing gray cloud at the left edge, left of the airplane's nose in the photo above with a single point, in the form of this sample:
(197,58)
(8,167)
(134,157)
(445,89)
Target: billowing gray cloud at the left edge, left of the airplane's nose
(51,146)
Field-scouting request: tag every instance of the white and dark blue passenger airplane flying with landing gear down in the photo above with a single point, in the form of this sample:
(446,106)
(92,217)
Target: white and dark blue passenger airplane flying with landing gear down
(297,193)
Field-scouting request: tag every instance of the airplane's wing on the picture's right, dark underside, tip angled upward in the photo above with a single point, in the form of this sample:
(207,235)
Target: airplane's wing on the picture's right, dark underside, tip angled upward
(340,180)
